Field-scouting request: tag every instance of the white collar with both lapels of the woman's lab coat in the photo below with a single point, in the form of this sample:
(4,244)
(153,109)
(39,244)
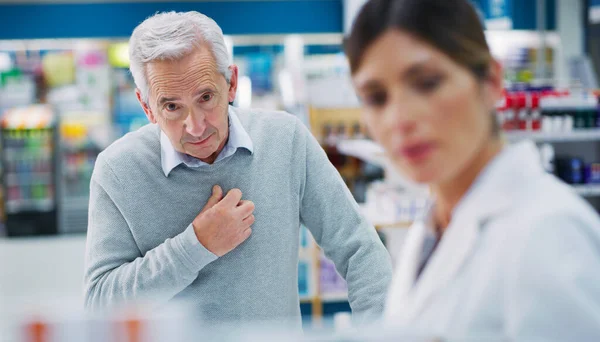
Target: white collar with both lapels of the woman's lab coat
(492,194)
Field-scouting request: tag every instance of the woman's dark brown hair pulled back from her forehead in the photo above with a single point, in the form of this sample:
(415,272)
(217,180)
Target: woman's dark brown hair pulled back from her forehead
(452,26)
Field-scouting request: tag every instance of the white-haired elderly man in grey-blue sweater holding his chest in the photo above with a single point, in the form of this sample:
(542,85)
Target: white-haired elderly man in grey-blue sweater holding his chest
(205,203)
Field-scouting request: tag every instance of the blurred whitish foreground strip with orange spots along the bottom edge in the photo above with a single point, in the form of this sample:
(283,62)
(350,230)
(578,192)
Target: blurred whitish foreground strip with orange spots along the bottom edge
(175,322)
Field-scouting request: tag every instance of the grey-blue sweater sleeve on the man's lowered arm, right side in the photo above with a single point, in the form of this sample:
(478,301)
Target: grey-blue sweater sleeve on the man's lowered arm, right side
(330,212)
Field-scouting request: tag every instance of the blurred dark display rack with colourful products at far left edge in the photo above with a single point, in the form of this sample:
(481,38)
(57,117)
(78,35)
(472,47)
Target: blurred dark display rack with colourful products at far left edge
(29,155)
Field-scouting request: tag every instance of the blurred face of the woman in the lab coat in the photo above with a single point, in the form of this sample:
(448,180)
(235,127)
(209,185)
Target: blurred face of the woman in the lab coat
(431,115)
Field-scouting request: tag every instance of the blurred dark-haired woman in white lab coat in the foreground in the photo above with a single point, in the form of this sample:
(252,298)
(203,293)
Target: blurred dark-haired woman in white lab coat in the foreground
(504,249)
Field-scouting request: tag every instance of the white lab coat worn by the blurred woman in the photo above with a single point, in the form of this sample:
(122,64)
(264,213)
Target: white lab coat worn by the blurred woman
(519,260)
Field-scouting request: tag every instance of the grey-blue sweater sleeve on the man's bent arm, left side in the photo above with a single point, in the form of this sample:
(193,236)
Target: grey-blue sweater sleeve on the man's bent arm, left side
(116,272)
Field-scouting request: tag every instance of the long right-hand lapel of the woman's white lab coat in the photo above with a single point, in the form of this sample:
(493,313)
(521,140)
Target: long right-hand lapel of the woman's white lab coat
(491,195)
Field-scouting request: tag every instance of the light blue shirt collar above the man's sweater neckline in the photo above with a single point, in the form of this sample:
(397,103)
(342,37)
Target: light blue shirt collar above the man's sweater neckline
(238,138)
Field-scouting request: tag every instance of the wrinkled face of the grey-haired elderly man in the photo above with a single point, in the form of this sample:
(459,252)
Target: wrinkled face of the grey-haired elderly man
(189,100)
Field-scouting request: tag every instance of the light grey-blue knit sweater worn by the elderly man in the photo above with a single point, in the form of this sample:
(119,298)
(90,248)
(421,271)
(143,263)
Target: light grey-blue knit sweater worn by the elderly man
(141,245)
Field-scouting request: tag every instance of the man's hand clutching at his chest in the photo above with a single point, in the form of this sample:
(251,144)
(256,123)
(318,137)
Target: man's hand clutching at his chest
(224,223)
